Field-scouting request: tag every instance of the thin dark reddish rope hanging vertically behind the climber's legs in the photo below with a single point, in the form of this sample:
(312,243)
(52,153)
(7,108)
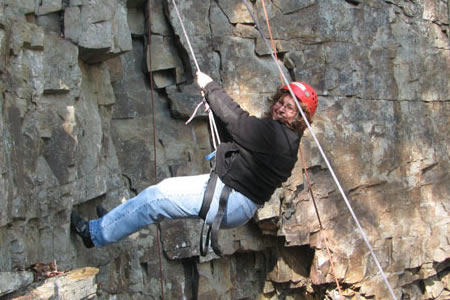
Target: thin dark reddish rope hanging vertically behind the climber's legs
(158,240)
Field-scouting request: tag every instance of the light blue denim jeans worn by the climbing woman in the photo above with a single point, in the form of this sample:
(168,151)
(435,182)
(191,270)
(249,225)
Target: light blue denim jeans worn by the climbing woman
(172,198)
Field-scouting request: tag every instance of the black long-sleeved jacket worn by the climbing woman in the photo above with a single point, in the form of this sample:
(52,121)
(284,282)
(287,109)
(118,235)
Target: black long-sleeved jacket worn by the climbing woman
(261,153)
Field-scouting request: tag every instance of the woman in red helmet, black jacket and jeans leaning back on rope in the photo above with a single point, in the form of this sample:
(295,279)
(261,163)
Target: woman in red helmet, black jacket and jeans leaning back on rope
(257,156)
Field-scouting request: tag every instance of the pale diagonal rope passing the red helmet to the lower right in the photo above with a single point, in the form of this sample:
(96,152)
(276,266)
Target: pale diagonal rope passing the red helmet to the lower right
(391,291)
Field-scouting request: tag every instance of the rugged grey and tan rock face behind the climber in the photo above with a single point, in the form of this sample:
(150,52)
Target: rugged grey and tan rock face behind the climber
(76,118)
